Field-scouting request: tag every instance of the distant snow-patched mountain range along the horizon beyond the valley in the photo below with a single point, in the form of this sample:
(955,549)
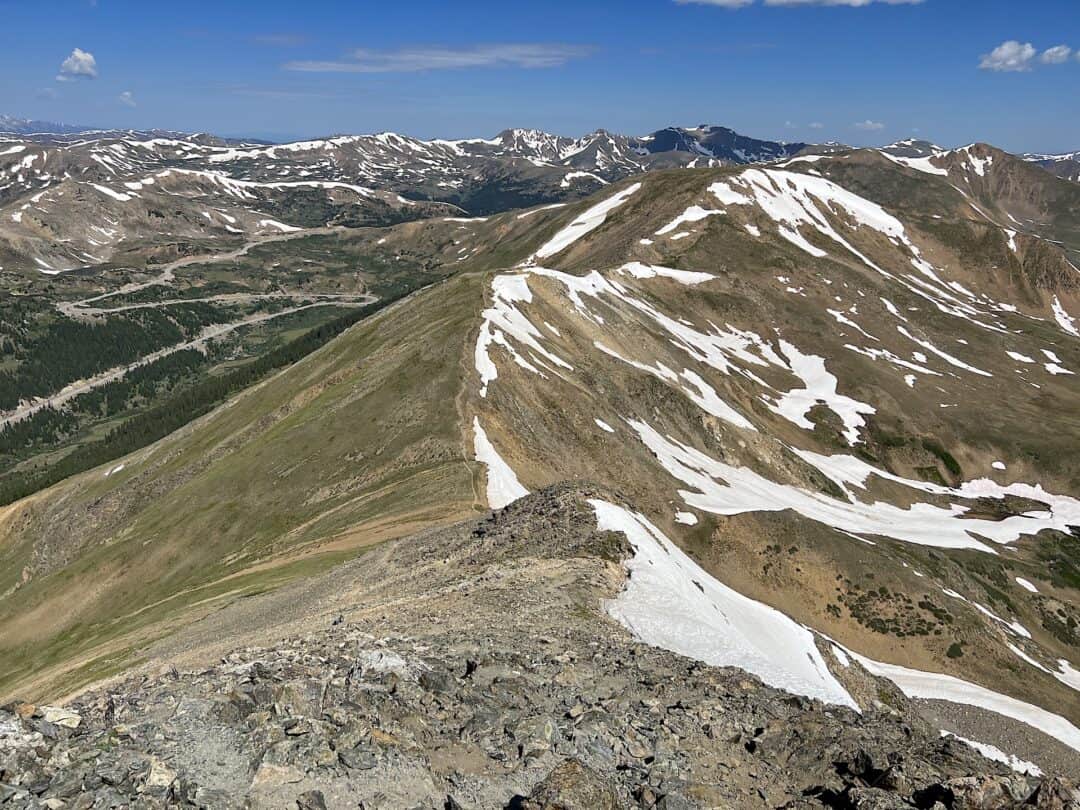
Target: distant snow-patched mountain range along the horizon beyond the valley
(147,188)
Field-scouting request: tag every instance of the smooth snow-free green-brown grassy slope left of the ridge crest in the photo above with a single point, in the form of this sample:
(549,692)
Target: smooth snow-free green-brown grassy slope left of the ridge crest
(358,443)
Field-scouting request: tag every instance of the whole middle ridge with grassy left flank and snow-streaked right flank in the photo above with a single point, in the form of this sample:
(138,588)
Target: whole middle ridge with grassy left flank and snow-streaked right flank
(846,386)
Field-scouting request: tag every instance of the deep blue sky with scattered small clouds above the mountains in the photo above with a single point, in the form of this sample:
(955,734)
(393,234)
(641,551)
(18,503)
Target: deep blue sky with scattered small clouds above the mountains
(863,72)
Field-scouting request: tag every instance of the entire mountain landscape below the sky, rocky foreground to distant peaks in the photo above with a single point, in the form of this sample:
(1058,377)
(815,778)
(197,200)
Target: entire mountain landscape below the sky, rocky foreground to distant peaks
(491,443)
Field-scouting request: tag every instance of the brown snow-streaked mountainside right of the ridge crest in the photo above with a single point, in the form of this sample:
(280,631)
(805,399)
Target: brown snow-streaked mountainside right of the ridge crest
(847,386)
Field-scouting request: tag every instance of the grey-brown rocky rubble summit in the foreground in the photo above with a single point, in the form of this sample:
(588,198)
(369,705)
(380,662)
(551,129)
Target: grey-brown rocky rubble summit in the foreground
(476,668)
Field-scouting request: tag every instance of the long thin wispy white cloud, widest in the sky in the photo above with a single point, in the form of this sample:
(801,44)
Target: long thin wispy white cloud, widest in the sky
(413,60)
